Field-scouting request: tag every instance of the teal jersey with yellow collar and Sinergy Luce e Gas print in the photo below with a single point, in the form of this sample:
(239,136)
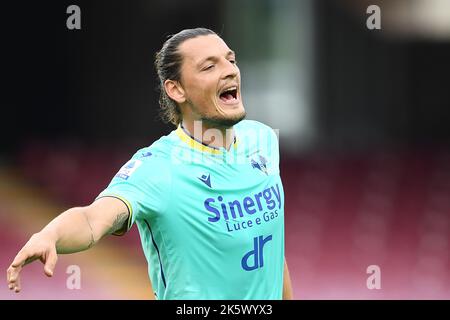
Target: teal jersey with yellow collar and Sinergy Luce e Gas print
(211,220)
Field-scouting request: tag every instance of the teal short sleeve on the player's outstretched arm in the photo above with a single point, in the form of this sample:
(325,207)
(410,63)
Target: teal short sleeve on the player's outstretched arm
(143,185)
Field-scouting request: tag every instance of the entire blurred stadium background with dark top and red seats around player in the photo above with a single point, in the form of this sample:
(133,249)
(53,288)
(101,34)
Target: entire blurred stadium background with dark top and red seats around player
(363,118)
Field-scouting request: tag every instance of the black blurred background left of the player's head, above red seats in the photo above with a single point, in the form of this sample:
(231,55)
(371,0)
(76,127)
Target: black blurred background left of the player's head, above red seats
(97,84)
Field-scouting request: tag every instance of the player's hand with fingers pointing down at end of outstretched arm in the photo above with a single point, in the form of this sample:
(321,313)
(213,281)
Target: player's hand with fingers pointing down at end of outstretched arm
(40,246)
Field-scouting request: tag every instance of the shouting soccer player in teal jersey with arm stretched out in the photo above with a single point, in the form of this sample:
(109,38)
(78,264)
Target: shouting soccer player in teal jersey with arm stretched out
(207,198)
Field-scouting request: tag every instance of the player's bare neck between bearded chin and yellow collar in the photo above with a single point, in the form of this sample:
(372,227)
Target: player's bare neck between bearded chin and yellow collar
(212,136)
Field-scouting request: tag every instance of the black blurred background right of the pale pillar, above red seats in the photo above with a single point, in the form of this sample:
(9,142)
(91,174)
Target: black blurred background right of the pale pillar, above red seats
(377,91)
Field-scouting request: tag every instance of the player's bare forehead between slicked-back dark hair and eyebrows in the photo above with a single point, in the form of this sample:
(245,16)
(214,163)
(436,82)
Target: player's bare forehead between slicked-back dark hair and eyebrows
(199,48)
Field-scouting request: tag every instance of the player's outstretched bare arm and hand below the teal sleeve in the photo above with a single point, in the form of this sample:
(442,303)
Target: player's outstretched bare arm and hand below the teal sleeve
(74,230)
